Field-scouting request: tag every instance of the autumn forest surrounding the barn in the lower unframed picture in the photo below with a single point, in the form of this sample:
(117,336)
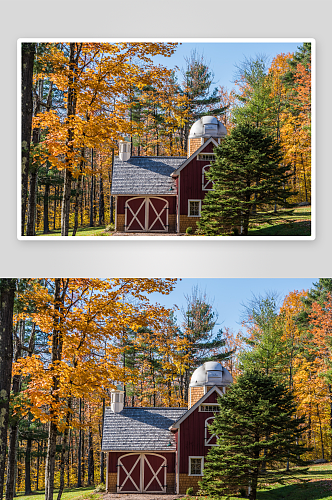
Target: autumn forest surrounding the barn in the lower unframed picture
(66,342)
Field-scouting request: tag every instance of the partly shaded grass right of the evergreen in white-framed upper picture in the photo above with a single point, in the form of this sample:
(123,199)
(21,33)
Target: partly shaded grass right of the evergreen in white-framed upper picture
(295,222)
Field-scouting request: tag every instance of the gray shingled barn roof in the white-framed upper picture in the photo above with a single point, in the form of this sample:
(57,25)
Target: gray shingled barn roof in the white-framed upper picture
(145,175)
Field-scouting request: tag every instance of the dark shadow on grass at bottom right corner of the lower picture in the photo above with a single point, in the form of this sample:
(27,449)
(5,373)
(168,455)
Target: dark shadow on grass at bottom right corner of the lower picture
(314,490)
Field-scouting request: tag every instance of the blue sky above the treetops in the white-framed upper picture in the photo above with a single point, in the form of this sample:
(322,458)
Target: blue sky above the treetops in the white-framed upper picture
(223,56)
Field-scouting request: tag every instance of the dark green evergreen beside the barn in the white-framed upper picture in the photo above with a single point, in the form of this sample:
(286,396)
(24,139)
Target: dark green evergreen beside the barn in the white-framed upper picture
(249,176)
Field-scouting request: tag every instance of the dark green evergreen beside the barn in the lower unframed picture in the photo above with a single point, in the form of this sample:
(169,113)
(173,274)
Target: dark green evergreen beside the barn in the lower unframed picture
(258,431)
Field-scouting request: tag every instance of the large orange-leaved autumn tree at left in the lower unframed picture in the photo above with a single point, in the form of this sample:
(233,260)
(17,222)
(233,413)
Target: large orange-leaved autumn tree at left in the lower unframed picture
(80,316)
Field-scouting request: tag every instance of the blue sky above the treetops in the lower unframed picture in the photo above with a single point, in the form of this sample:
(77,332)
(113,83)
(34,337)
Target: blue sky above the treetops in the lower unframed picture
(228,294)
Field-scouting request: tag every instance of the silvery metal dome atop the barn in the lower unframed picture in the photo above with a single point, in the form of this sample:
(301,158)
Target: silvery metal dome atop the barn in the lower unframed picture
(209,374)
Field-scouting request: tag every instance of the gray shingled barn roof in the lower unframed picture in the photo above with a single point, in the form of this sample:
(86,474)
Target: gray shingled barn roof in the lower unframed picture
(140,429)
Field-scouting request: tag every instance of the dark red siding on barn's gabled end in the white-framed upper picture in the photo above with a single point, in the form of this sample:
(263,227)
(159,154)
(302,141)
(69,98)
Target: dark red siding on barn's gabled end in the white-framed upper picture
(191,180)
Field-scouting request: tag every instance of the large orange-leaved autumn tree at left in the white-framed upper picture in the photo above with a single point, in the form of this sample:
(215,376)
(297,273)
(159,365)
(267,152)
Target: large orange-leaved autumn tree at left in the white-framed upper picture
(95,79)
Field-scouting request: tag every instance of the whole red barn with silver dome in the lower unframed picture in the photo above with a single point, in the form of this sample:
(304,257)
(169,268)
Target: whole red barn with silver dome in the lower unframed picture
(162,450)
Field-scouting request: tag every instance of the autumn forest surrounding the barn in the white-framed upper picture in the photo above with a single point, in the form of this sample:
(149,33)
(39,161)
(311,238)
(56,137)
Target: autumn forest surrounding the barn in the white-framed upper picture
(79,99)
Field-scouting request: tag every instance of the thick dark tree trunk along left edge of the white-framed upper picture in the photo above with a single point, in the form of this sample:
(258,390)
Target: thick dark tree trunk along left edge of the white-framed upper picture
(28,55)
